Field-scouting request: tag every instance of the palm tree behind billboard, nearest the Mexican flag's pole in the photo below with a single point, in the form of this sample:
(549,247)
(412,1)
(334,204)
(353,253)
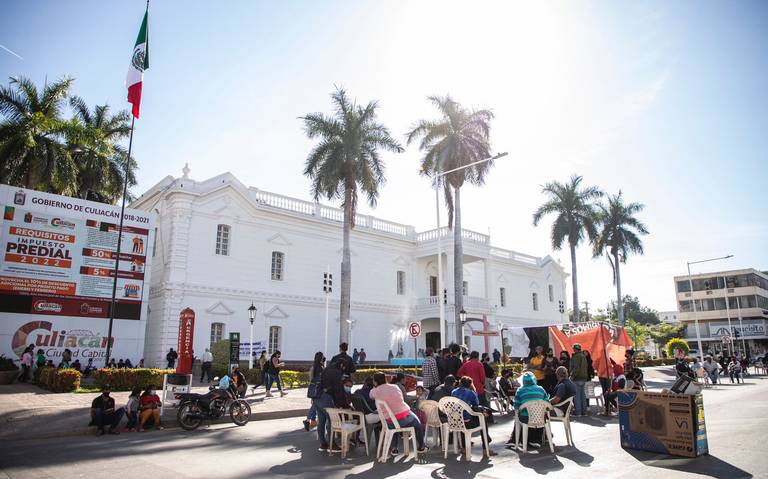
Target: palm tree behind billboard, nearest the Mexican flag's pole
(93,140)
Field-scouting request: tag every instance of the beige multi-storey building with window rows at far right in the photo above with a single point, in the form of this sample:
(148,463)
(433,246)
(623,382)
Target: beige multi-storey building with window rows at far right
(729,304)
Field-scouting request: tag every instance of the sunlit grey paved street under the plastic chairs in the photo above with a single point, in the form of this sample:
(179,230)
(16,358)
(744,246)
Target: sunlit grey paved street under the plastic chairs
(735,415)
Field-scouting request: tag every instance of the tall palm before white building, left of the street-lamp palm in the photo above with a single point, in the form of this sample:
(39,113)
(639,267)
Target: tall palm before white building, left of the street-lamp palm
(347,159)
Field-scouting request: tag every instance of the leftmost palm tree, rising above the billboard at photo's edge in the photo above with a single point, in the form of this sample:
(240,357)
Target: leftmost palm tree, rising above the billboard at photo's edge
(32,154)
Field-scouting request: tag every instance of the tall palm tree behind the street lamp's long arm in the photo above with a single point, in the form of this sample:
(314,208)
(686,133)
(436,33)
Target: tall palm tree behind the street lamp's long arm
(459,137)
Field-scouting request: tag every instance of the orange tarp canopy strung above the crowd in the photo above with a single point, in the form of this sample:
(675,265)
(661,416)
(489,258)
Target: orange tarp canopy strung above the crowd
(602,340)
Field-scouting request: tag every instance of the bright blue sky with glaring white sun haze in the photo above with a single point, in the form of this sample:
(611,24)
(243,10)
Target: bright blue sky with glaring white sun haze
(664,101)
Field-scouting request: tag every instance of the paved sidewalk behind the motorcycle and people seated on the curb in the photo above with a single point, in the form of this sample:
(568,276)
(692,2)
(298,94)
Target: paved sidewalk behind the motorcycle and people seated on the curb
(29,412)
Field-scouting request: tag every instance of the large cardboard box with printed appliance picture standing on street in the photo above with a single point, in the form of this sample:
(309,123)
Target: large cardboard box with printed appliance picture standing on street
(663,422)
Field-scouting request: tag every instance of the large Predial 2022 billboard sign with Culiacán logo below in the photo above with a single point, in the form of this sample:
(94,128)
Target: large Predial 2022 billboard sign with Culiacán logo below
(57,261)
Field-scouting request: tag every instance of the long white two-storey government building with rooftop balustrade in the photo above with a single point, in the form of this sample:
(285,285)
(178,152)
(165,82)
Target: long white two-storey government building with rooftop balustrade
(221,246)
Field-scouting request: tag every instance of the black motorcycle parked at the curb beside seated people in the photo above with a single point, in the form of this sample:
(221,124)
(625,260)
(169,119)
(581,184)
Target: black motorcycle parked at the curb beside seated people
(193,408)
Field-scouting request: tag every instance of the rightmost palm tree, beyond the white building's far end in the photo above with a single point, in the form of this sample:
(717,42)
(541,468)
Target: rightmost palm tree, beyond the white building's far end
(619,236)
